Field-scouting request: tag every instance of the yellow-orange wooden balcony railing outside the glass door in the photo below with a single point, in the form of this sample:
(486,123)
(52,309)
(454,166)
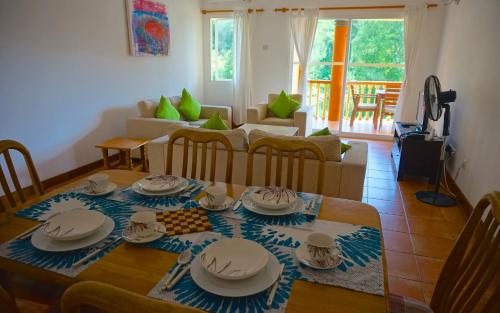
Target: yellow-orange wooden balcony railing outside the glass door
(319,96)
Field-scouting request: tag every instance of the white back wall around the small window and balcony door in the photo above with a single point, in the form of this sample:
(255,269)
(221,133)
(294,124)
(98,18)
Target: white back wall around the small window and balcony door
(272,65)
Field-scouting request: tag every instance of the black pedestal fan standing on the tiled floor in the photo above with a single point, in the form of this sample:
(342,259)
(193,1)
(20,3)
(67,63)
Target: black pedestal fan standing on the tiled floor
(435,101)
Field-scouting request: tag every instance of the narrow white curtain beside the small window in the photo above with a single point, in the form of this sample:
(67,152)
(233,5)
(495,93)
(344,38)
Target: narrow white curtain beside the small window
(242,65)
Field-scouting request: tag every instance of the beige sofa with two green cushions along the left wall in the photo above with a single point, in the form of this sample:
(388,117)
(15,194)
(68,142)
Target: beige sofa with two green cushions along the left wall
(147,110)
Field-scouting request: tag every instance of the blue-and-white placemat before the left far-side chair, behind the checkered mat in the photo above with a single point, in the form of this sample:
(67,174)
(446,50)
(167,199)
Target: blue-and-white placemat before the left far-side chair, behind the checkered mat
(160,202)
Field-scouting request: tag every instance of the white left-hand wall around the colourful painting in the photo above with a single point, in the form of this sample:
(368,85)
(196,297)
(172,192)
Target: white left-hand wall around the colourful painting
(67,80)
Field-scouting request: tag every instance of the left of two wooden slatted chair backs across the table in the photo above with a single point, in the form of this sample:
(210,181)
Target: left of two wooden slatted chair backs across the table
(200,137)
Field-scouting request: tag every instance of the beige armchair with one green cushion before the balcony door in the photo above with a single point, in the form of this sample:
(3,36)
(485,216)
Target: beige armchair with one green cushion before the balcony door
(302,118)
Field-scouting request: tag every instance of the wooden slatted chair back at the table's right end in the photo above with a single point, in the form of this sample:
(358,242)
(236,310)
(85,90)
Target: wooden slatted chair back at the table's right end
(473,263)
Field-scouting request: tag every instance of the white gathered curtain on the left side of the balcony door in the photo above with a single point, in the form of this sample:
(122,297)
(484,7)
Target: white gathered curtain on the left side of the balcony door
(303,25)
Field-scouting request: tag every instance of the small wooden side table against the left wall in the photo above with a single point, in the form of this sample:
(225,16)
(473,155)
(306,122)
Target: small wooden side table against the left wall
(124,145)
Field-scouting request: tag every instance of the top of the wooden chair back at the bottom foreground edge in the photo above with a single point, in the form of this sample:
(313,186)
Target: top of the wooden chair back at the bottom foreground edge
(111,299)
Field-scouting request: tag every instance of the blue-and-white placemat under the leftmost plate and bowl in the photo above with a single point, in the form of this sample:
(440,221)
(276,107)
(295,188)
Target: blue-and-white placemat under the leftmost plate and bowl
(24,252)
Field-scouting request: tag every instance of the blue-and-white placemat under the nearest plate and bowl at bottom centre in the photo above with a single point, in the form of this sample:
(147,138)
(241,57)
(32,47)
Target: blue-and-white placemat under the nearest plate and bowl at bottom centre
(188,293)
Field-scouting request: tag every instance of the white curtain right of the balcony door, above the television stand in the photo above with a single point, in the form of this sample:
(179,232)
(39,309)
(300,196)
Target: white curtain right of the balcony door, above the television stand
(414,16)
